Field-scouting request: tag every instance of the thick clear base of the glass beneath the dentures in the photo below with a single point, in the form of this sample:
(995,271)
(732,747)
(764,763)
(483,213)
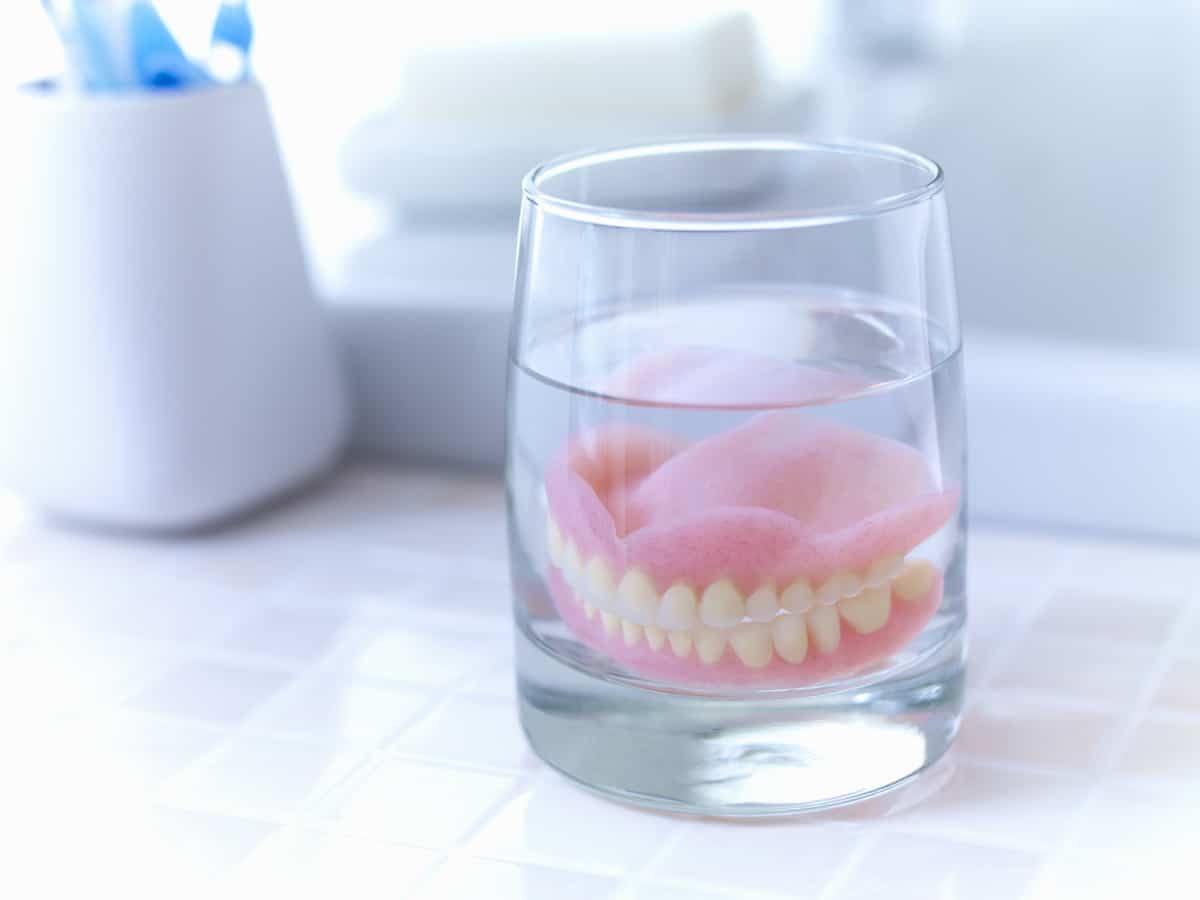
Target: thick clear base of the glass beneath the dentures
(769,755)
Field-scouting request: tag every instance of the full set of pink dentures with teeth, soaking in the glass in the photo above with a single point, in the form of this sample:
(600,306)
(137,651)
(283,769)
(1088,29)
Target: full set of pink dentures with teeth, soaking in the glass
(775,554)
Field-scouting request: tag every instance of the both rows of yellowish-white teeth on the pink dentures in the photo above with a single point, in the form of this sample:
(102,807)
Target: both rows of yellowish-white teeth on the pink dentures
(765,623)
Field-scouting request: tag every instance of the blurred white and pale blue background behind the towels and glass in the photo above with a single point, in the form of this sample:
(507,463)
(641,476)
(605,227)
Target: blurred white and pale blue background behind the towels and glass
(1070,130)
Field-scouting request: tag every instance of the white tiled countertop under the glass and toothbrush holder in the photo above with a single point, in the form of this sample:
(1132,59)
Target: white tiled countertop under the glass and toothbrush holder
(320,703)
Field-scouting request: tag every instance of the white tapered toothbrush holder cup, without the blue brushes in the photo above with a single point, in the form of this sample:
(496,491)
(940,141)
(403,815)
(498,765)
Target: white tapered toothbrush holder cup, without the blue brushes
(164,362)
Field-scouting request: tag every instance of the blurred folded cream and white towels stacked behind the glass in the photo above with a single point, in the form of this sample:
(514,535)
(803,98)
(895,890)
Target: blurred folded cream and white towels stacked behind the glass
(472,119)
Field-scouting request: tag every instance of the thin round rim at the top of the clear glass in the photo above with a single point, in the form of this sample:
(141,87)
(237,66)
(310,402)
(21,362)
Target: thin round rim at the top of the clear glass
(728,221)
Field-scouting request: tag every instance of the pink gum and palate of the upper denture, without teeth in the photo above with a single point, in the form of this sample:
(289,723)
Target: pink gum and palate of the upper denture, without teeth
(784,496)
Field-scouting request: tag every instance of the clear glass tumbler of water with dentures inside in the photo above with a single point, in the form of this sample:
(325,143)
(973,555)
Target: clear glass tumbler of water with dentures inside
(736,473)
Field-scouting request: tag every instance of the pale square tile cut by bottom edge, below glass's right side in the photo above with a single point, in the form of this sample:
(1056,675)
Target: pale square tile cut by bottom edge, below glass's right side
(907,868)
